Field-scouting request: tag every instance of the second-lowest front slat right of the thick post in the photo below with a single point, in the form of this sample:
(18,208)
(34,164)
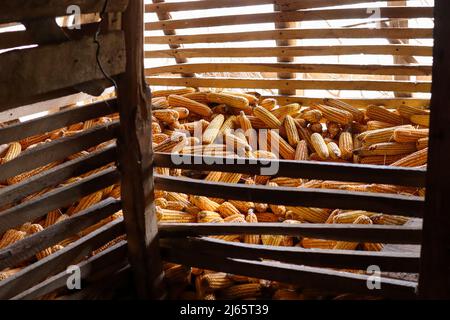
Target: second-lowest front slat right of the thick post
(349,259)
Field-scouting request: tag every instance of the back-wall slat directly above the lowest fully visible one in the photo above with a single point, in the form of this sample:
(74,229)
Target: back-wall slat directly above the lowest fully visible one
(423,70)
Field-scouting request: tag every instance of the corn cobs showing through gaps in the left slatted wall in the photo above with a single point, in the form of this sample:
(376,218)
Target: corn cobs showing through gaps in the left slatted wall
(13,150)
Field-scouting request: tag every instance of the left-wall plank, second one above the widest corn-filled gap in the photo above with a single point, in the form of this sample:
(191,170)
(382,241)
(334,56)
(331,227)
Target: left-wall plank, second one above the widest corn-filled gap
(57,175)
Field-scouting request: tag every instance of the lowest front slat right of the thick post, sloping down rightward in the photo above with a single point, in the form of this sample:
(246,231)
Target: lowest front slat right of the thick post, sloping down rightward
(306,277)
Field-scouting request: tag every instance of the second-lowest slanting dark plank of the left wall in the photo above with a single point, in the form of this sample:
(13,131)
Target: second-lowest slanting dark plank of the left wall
(60,260)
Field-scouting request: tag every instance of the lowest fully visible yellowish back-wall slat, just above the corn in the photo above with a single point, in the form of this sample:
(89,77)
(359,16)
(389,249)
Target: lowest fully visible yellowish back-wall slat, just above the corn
(366,85)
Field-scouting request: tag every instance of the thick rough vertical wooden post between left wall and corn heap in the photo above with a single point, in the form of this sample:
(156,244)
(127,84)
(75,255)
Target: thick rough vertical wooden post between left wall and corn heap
(136,161)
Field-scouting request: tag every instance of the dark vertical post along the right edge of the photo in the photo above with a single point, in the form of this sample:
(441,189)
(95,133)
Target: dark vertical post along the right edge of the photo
(434,281)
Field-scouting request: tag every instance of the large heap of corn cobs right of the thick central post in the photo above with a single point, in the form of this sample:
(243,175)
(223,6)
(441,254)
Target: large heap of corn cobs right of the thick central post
(331,131)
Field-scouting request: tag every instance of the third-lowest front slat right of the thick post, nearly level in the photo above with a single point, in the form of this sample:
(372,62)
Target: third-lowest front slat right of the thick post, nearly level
(347,232)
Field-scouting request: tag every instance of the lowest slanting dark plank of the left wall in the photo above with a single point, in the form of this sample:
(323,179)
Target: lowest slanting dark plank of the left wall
(114,256)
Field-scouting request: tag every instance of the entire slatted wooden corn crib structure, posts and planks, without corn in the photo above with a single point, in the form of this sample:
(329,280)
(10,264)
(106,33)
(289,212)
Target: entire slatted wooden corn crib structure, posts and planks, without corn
(65,62)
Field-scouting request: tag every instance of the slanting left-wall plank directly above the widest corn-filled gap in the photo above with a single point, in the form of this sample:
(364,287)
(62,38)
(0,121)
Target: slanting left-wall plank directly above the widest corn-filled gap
(56,198)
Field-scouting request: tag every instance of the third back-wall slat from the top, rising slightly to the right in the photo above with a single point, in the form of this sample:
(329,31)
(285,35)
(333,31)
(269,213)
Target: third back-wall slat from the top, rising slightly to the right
(283,34)
